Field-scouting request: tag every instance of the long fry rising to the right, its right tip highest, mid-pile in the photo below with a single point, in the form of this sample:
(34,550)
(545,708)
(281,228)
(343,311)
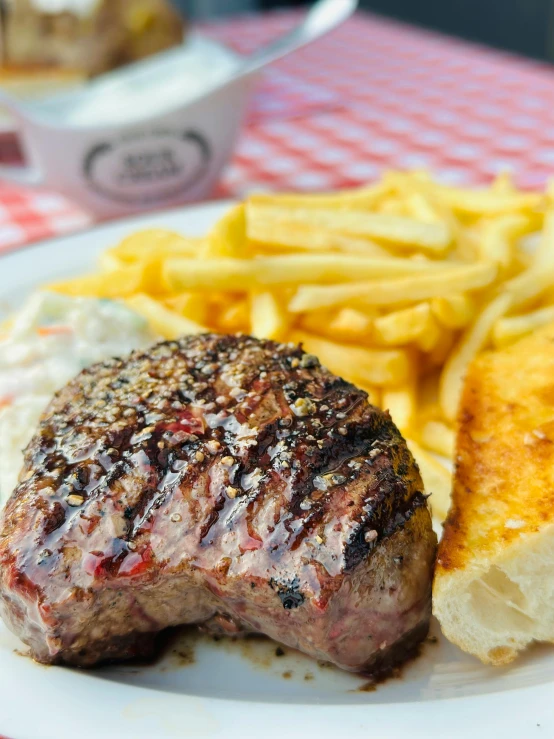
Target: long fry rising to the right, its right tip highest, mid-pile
(410,288)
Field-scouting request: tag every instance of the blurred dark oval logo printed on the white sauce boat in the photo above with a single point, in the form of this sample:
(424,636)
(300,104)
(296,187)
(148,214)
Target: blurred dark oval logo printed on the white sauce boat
(148,167)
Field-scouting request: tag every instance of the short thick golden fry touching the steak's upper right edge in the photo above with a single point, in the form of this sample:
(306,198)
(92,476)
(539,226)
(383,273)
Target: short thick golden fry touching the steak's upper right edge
(368,366)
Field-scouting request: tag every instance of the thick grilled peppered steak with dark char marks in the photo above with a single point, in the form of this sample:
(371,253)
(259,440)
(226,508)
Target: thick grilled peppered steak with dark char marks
(219,480)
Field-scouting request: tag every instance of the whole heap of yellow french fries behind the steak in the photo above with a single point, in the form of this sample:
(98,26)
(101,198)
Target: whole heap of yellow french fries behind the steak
(395,286)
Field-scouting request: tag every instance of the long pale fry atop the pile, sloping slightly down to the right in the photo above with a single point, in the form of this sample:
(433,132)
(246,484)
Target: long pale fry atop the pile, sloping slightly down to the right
(398,230)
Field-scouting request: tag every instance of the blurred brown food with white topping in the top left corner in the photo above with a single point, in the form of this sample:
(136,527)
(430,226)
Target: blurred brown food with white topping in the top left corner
(52,44)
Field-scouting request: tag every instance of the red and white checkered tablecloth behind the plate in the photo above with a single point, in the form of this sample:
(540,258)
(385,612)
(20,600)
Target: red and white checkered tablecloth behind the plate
(372,95)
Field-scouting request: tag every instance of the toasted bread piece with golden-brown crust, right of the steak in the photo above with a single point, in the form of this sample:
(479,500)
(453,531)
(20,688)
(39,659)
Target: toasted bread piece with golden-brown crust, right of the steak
(494,580)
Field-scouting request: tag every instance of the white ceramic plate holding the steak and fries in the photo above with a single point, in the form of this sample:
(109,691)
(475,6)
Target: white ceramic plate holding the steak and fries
(242,689)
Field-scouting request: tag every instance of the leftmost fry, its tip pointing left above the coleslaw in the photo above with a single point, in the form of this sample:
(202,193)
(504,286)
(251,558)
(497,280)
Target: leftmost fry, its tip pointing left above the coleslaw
(118,283)
